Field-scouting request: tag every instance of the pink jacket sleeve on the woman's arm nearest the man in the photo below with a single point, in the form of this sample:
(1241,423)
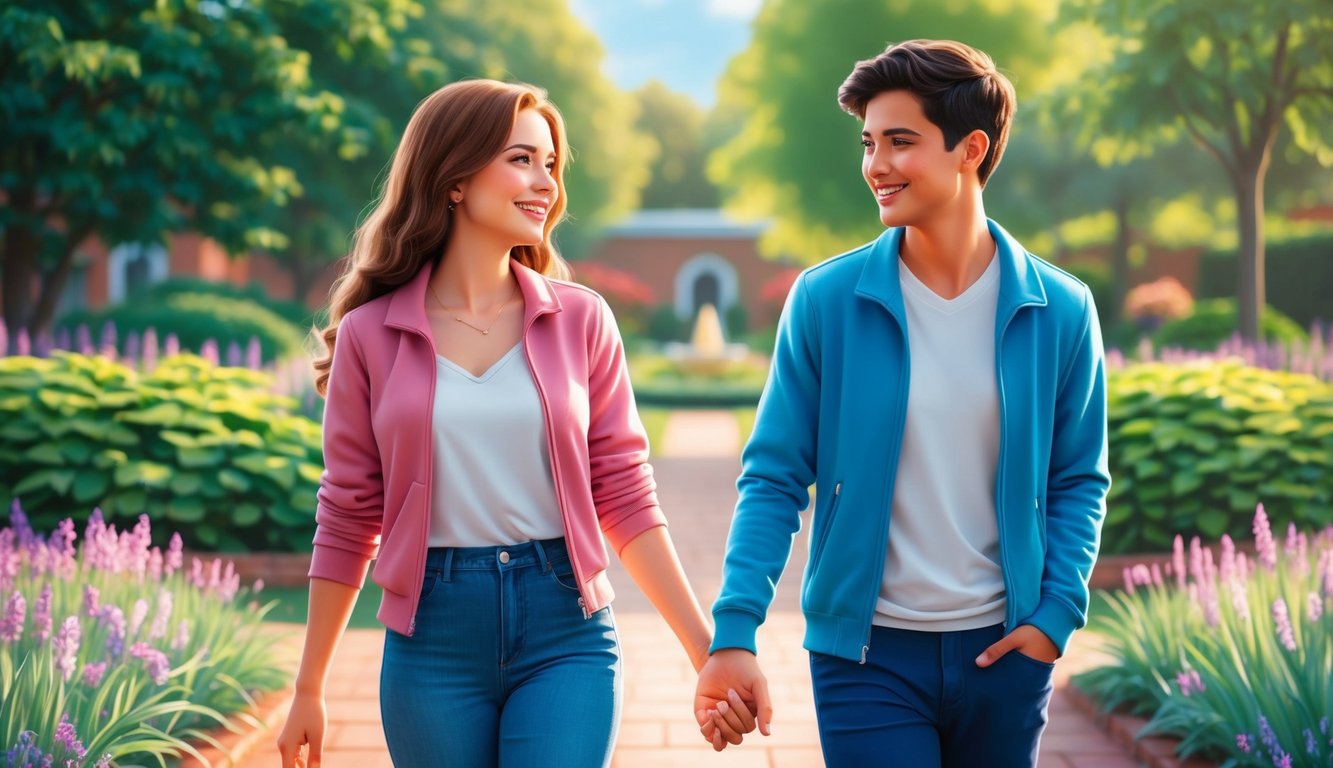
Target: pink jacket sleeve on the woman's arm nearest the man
(623,487)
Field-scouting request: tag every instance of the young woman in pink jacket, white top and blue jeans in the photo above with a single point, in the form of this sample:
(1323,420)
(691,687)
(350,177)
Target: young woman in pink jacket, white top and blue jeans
(481,438)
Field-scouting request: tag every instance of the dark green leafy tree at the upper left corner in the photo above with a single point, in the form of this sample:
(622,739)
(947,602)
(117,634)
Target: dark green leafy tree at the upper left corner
(134,121)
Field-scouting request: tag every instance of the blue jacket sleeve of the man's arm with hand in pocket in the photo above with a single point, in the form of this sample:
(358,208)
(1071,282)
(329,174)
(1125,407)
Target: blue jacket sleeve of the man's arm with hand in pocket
(1076,486)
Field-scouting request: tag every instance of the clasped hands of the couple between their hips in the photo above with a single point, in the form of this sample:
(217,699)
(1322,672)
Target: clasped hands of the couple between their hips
(731,698)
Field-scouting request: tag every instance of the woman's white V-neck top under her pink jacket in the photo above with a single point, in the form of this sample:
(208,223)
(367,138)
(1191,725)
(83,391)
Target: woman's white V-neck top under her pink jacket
(493,481)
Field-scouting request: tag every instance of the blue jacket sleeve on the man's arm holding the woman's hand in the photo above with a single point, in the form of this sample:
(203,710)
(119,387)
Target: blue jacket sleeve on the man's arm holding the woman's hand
(778,469)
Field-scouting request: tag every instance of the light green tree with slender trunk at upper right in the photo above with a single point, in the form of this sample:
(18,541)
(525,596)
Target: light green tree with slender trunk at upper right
(1232,75)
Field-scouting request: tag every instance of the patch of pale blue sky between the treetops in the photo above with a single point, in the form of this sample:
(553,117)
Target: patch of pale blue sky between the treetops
(683,43)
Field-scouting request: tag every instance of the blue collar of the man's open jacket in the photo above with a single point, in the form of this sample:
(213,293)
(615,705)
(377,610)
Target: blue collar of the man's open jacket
(1020,285)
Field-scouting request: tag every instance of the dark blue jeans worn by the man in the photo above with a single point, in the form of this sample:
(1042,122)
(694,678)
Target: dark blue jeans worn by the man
(922,701)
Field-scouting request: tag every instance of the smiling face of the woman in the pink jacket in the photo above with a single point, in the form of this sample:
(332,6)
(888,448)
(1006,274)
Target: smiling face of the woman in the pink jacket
(510,199)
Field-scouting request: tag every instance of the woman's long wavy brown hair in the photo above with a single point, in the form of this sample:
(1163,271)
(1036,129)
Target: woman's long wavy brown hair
(454,134)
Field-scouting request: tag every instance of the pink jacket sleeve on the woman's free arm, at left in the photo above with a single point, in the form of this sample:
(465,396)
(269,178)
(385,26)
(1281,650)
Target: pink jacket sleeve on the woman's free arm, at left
(351,495)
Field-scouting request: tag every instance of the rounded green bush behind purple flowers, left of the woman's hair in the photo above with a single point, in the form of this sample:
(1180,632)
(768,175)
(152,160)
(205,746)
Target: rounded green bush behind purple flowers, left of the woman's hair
(195,319)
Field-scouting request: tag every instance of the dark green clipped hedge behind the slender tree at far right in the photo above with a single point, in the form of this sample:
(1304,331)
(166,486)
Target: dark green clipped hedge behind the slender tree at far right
(1299,274)
